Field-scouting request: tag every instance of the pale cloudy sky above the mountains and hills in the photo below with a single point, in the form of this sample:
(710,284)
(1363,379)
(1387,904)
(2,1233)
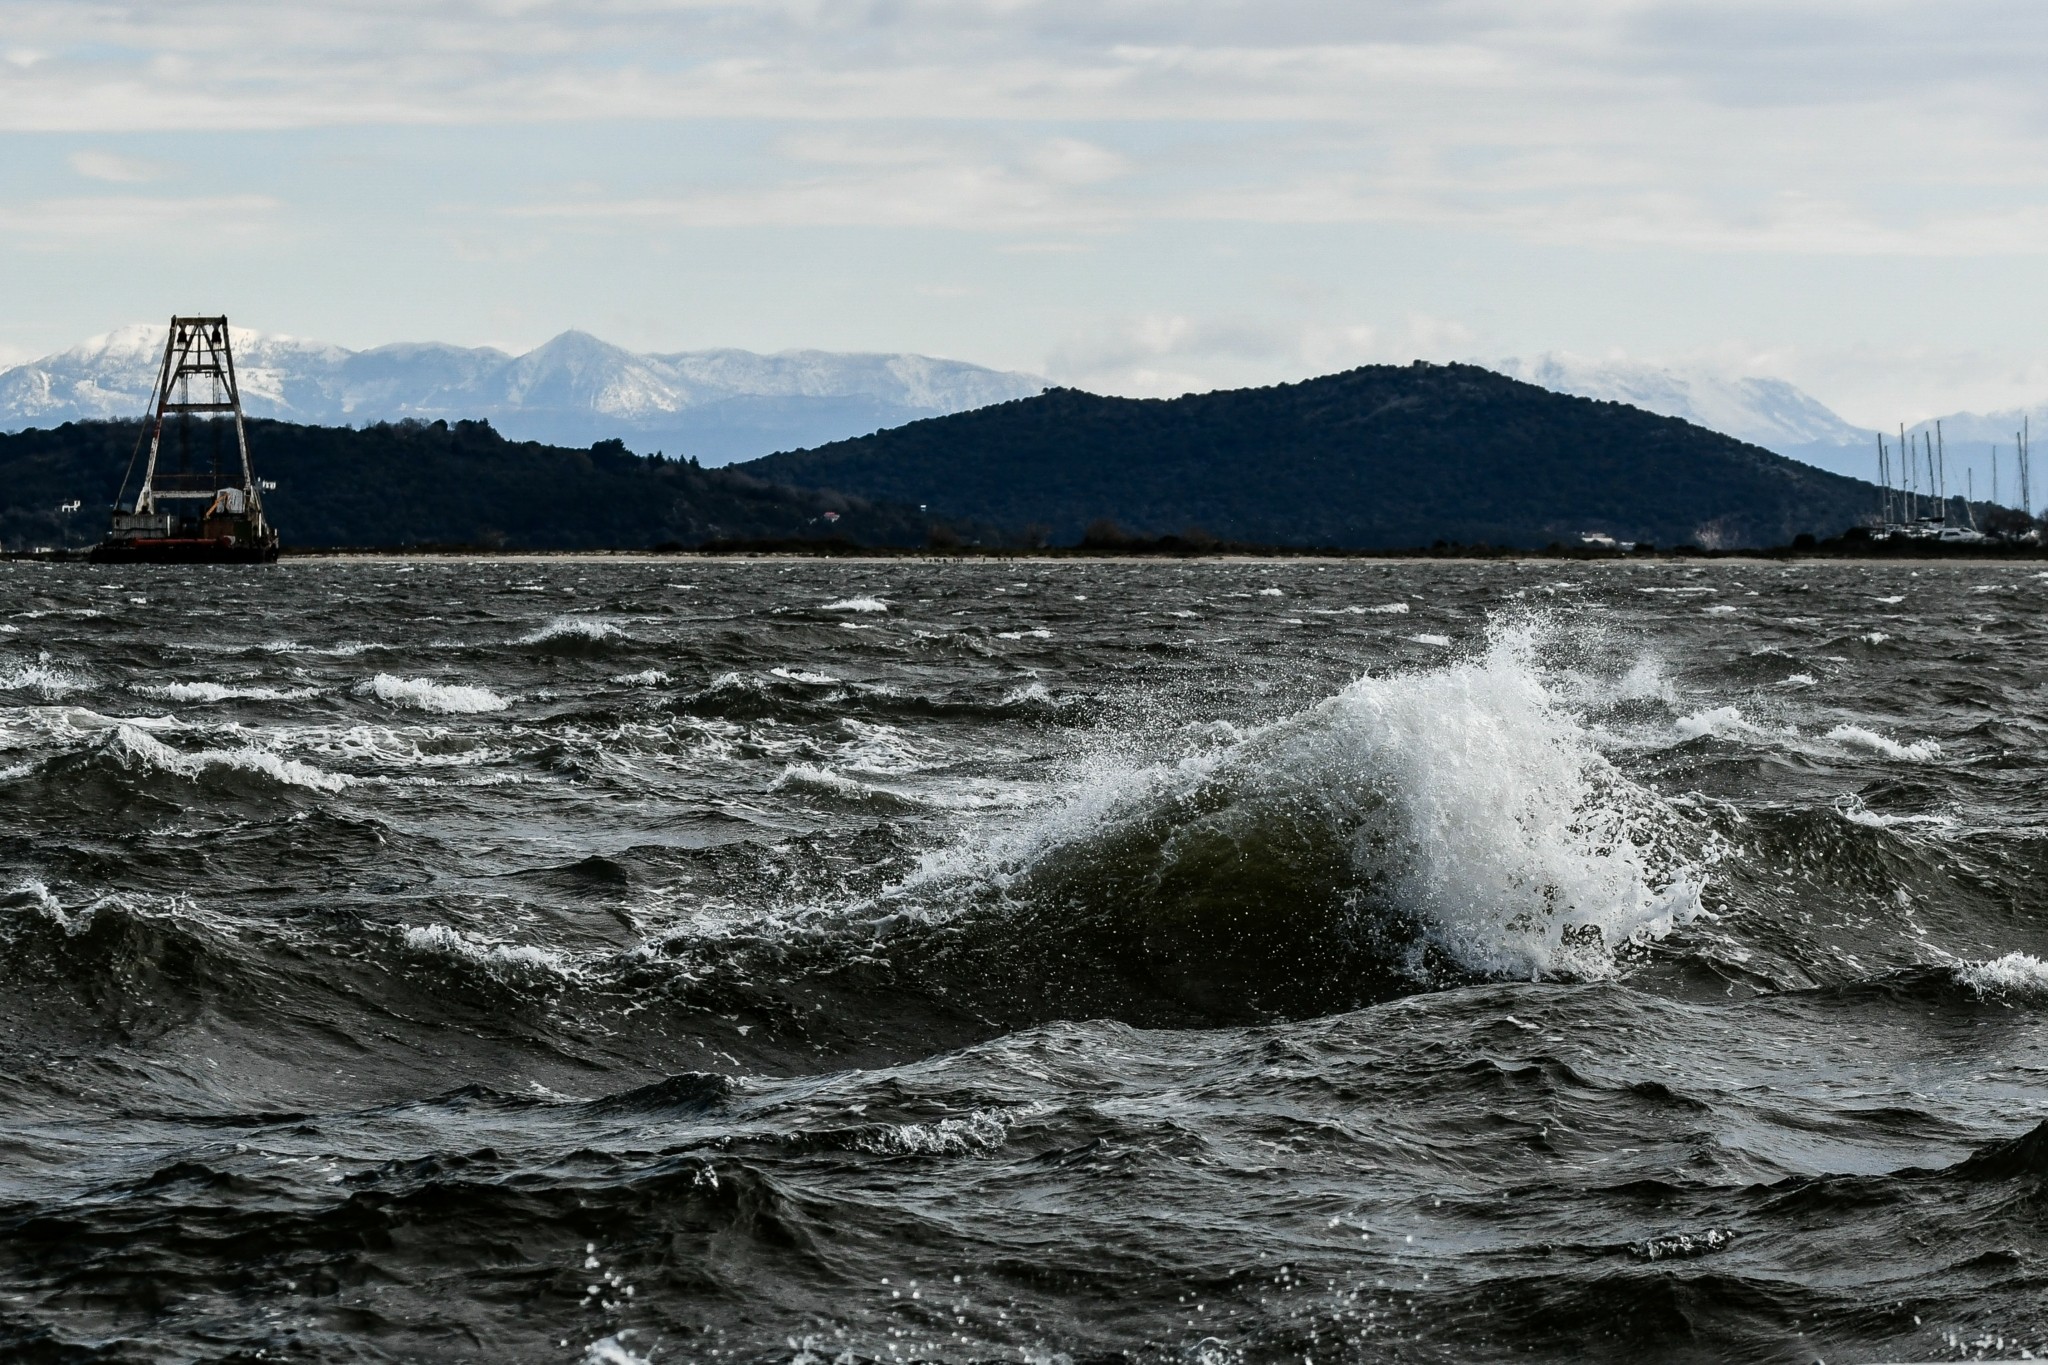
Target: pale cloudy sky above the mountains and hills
(1129,195)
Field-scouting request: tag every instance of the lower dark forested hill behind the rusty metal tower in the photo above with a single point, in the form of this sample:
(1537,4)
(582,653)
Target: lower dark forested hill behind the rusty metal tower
(437,484)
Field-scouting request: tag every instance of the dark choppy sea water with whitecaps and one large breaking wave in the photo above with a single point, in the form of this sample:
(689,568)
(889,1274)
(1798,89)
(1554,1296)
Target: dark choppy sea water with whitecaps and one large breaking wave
(669,961)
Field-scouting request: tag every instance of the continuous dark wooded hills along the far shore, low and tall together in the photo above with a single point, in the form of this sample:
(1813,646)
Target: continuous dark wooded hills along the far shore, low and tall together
(1381,457)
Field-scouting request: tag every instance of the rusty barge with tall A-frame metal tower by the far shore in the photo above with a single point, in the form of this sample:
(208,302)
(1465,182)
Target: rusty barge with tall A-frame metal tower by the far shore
(200,500)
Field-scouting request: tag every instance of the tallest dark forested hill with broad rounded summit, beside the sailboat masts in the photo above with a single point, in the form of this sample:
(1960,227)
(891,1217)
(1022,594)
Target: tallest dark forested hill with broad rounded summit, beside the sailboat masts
(1373,457)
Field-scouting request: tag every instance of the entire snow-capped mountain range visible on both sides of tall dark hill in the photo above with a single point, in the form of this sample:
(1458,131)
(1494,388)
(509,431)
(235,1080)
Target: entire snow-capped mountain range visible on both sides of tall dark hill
(726,406)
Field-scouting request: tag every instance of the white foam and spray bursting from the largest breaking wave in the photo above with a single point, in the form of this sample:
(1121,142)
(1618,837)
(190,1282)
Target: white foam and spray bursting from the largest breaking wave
(1463,799)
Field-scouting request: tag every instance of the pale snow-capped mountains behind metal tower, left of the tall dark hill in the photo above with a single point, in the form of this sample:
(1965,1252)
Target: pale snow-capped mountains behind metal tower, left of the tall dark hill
(716,404)
